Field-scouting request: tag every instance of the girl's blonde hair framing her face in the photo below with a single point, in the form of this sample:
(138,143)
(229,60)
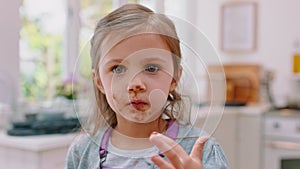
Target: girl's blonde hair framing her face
(130,20)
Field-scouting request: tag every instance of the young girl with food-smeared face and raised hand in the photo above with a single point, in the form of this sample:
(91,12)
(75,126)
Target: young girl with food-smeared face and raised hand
(139,122)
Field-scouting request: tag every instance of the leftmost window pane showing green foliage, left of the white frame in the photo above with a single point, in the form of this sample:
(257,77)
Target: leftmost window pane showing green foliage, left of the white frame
(41,47)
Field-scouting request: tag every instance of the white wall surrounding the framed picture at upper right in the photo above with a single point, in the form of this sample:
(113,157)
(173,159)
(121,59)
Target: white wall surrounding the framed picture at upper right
(278,28)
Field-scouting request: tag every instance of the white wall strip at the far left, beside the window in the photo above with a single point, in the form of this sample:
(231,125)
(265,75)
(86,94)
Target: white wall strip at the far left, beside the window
(9,48)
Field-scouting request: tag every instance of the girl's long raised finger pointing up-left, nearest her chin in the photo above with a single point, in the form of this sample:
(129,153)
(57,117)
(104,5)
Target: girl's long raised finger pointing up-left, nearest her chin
(172,150)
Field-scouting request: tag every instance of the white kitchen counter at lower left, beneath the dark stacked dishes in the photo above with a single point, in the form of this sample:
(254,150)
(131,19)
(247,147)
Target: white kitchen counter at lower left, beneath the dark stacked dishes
(34,152)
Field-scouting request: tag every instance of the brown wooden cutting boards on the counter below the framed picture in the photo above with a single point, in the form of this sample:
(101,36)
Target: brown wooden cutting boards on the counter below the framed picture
(242,83)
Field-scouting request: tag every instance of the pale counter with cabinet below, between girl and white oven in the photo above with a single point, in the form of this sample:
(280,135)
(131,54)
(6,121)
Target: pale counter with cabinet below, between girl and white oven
(237,129)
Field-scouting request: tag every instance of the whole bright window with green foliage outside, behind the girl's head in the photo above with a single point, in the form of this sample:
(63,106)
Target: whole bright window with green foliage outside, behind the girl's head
(53,34)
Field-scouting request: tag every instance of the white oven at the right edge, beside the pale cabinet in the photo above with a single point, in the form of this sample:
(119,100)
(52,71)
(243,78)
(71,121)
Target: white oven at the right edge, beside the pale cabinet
(281,139)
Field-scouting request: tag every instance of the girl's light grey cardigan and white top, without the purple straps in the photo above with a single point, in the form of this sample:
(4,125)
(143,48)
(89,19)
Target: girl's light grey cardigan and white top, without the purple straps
(84,152)
